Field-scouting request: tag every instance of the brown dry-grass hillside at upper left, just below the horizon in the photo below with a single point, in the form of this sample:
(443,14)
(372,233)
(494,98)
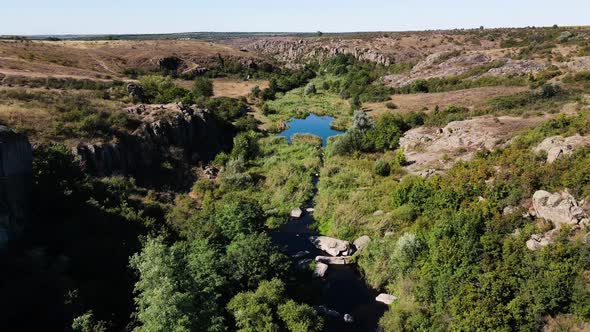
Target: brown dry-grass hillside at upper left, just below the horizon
(104,59)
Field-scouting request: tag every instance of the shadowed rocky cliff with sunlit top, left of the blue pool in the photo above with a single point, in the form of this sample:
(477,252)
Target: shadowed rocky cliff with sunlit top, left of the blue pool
(193,133)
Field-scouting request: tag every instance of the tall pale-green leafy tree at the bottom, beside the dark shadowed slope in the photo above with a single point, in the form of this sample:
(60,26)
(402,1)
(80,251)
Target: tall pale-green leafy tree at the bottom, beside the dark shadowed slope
(178,287)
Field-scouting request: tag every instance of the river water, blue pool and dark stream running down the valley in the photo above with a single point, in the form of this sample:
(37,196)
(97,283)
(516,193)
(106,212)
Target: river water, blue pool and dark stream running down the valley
(342,288)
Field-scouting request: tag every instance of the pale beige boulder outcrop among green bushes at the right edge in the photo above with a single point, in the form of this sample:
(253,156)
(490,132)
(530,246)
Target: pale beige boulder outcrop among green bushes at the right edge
(560,209)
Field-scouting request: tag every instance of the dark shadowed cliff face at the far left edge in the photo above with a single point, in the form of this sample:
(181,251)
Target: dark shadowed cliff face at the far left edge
(16,159)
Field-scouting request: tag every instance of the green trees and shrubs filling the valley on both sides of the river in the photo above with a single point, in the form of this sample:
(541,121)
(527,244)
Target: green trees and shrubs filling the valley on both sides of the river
(106,254)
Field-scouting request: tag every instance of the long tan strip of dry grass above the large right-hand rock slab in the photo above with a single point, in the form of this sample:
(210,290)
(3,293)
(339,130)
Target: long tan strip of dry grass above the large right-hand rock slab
(471,98)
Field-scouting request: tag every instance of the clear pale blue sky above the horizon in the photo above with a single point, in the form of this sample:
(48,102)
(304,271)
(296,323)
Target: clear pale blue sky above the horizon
(49,17)
